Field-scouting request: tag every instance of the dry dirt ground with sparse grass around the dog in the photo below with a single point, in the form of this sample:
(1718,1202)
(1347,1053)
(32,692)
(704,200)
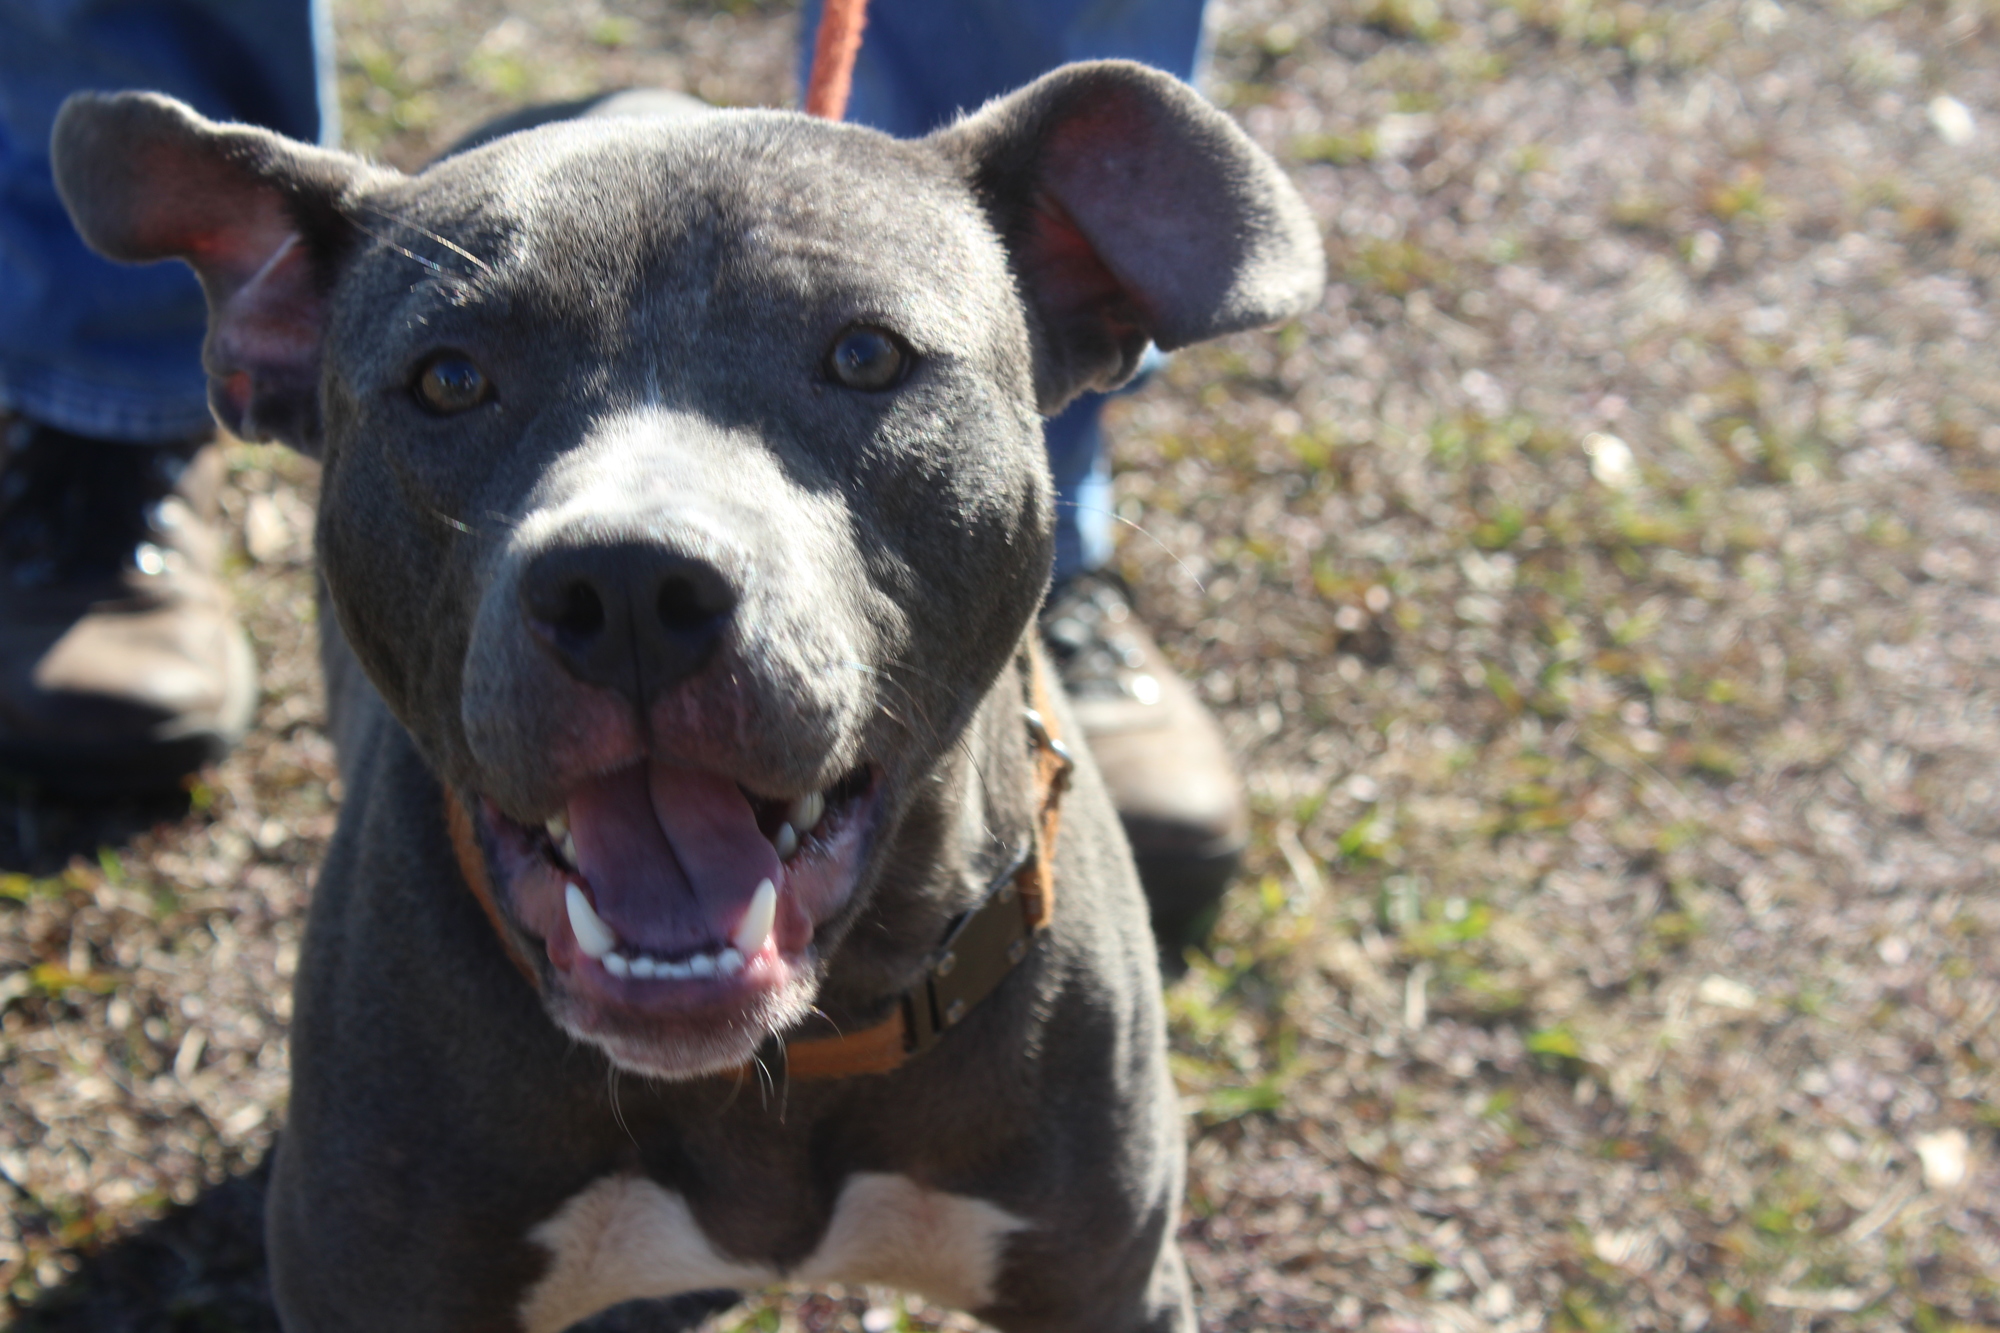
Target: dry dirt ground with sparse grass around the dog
(1599,589)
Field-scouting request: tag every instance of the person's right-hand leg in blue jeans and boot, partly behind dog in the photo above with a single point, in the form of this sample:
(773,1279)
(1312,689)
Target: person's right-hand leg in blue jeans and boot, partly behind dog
(921,65)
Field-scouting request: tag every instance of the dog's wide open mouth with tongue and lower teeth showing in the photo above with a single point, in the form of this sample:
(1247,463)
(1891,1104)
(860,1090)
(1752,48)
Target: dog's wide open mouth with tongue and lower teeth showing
(675,900)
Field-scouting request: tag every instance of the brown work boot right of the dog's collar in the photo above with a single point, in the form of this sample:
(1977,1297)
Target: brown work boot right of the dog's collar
(1161,756)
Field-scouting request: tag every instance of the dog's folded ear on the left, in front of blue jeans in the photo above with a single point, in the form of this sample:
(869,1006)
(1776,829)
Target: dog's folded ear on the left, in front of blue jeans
(255,215)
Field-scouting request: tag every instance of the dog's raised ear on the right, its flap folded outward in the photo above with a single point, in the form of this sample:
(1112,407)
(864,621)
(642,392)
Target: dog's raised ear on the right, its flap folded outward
(1135,211)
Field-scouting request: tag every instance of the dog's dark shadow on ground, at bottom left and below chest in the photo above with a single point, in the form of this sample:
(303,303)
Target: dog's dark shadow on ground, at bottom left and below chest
(201,1270)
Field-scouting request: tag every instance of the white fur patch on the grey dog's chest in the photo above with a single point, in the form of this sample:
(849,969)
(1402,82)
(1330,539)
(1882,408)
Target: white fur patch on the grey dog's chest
(627,1238)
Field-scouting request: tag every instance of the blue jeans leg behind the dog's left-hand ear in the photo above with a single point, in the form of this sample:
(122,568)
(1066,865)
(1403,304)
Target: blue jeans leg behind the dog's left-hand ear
(95,347)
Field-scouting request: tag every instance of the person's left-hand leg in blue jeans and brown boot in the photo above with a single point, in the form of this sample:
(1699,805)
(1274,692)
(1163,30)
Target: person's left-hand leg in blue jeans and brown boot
(121,665)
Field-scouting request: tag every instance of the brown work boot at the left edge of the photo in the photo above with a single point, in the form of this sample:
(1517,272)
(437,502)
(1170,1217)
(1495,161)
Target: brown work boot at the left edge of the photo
(121,661)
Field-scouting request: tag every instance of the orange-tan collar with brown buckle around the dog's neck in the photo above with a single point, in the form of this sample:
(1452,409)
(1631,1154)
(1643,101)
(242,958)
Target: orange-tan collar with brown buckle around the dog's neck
(977,954)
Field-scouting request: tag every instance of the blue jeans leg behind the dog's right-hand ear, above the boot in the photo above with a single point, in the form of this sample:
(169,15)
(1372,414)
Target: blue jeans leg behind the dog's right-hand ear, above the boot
(927,61)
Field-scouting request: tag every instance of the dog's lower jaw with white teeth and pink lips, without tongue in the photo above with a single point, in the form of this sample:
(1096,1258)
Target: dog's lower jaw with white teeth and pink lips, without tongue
(705,1002)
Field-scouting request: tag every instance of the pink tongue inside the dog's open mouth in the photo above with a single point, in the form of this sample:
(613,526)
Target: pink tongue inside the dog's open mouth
(673,856)
